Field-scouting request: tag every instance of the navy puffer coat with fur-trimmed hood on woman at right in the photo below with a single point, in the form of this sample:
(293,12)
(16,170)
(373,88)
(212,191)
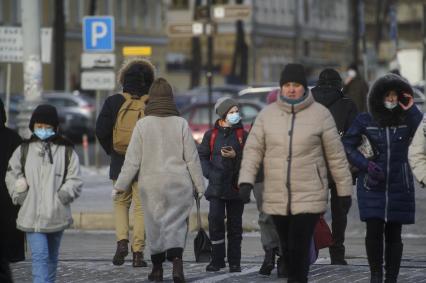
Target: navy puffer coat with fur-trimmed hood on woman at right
(390,133)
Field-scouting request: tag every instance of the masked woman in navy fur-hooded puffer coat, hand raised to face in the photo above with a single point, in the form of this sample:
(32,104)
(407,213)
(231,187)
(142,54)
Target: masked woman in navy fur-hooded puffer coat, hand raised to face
(385,182)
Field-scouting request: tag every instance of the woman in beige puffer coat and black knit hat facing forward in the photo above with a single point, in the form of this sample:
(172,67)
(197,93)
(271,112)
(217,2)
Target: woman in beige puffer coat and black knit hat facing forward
(295,138)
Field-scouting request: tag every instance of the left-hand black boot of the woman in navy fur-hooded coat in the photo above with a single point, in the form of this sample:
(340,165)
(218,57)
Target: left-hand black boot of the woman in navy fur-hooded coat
(375,259)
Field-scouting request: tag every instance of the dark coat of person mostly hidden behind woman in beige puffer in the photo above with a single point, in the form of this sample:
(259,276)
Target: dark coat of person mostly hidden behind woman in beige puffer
(342,108)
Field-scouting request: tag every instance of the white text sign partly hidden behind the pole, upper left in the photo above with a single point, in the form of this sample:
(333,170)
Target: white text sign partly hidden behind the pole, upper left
(12,44)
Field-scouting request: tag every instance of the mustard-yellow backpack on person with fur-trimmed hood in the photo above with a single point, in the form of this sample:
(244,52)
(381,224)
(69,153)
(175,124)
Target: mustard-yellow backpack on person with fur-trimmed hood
(130,112)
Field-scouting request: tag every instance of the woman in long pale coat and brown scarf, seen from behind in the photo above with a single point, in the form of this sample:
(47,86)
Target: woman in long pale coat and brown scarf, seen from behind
(164,154)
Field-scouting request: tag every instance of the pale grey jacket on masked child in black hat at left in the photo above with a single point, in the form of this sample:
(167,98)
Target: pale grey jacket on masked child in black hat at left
(45,206)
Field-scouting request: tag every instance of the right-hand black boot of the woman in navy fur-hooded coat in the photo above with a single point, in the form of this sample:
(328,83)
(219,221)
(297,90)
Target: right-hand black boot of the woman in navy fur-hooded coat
(393,254)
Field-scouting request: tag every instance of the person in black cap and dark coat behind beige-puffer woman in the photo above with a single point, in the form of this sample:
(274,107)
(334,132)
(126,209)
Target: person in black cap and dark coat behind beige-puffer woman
(328,93)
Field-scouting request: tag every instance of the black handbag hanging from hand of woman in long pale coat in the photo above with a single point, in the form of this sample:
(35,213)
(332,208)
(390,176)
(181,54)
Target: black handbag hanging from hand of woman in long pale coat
(202,243)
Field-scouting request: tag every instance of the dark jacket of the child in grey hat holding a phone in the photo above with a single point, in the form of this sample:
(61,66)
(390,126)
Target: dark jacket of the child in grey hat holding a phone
(221,172)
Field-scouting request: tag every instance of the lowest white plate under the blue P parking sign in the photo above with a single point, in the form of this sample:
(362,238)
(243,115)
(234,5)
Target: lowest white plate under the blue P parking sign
(98,80)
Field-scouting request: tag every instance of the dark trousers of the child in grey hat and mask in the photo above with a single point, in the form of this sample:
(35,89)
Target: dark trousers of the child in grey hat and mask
(234,226)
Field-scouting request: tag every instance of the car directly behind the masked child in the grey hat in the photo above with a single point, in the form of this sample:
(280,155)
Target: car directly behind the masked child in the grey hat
(197,116)
